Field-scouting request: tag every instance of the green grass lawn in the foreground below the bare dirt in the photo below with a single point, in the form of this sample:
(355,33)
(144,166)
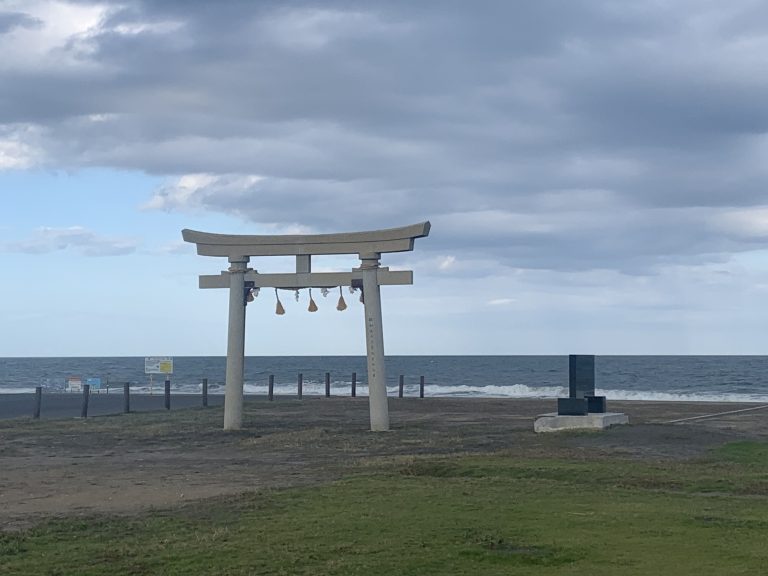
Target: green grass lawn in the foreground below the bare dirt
(457,515)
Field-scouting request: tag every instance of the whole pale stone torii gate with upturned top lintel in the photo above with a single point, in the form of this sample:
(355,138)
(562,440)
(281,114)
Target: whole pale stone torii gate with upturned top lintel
(369,246)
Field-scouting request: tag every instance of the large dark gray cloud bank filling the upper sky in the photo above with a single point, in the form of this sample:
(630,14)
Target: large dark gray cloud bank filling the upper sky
(557,135)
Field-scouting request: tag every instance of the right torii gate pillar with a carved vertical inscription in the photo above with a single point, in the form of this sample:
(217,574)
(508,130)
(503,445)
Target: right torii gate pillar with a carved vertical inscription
(374,339)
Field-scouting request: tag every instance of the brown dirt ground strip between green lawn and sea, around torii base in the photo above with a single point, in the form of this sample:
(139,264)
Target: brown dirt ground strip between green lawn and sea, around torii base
(129,463)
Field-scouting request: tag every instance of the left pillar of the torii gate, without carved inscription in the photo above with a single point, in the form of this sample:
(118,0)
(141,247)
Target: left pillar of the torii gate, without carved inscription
(233,393)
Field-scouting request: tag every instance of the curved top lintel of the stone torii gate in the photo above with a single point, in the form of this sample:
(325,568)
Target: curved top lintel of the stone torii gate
(370,242)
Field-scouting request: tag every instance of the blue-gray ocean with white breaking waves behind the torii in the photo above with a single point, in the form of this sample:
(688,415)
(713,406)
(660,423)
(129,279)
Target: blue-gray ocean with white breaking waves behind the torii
(682,378)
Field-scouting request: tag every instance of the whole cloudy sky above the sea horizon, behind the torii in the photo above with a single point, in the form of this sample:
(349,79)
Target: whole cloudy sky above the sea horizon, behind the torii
(595,171)
